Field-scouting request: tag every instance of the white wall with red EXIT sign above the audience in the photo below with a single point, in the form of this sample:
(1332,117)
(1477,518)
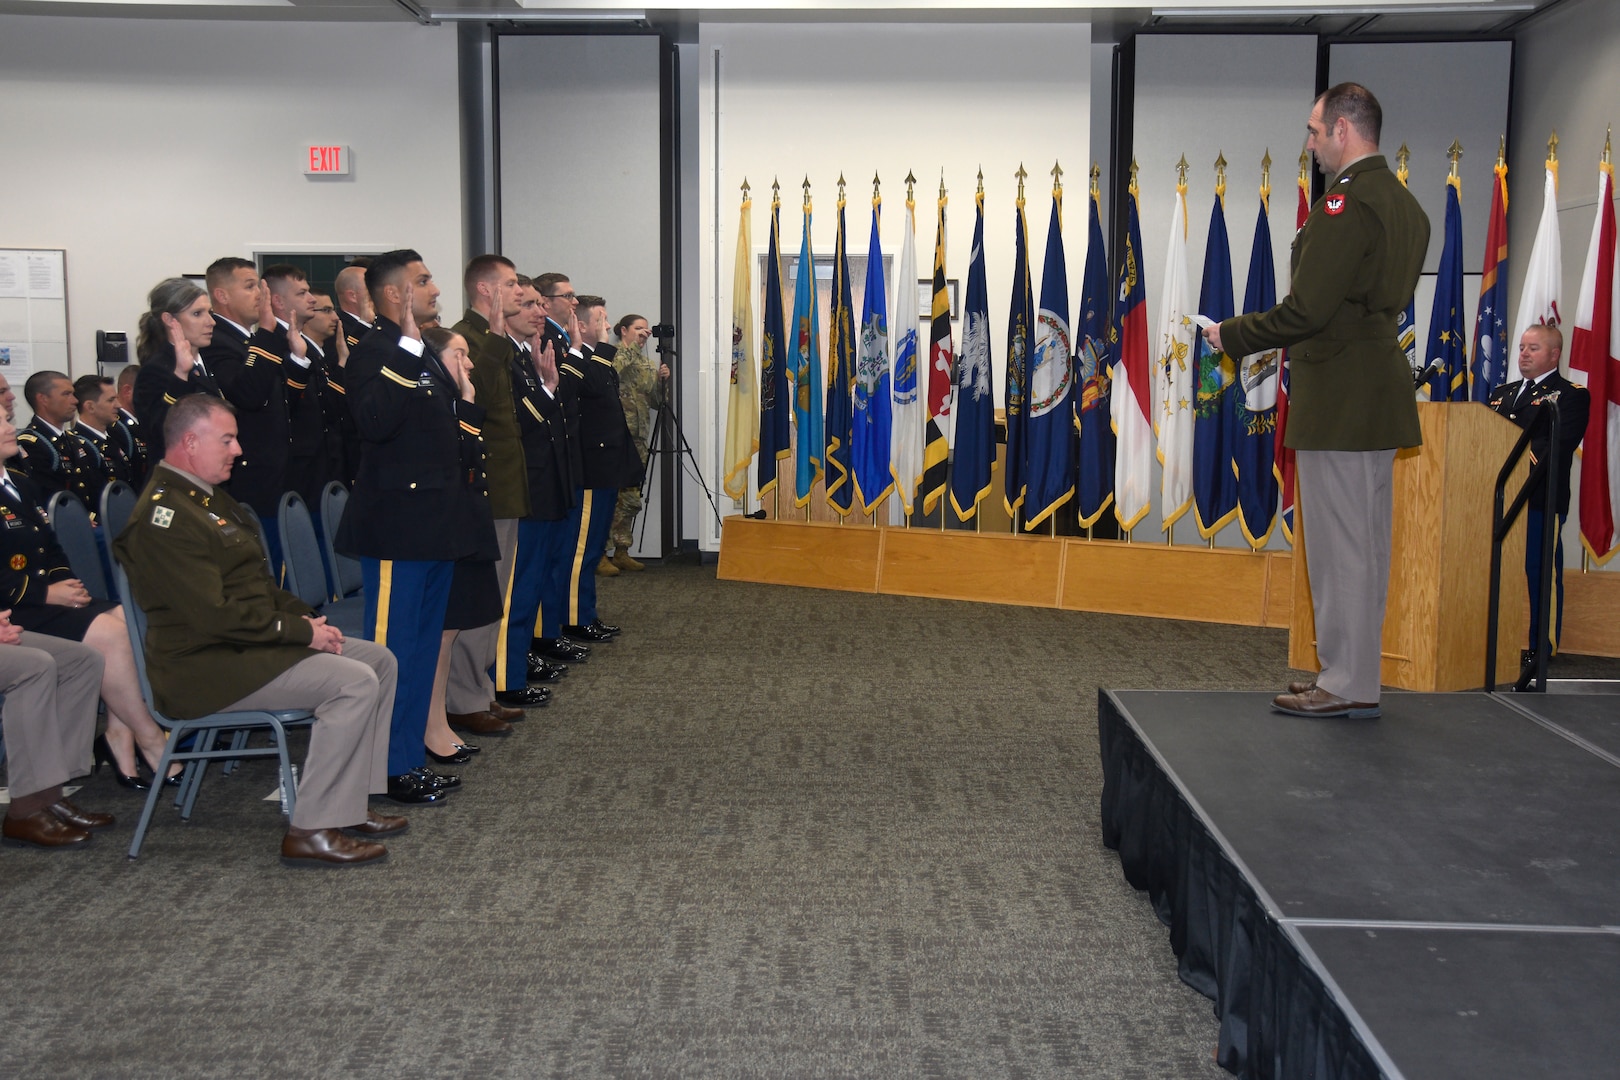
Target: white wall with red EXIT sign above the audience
(150,148)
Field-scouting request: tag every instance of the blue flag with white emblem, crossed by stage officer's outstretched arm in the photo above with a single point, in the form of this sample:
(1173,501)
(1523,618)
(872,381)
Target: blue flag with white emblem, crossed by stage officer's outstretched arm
(1256,406)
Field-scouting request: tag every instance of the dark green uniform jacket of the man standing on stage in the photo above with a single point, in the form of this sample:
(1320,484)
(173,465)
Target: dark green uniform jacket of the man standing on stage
(1354,271)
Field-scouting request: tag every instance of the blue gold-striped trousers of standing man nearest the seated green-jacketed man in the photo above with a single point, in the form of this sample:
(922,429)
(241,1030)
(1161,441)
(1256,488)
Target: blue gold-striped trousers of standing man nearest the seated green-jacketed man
(406,608)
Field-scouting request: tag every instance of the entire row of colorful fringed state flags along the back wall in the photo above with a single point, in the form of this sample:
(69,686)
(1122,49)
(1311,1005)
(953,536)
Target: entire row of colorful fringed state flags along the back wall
(1091,410)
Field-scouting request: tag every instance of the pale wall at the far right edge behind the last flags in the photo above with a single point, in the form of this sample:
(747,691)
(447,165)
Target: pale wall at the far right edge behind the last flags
(1569,82)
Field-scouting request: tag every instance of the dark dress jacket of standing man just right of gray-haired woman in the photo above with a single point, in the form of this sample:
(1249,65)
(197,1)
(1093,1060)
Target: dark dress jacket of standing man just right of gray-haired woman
(252,375)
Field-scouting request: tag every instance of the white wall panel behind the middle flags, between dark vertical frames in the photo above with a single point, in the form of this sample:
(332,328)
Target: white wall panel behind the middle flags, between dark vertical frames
(889,100)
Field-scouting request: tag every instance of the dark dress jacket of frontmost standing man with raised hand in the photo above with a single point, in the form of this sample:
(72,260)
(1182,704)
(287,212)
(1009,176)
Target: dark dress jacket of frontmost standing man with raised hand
(420,456)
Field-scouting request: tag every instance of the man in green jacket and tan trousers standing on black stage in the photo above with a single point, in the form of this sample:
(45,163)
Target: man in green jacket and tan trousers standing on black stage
(1355,266)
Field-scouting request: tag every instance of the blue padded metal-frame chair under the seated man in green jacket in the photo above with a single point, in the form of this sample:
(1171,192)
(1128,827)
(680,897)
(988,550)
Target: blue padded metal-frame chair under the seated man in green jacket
(198,736)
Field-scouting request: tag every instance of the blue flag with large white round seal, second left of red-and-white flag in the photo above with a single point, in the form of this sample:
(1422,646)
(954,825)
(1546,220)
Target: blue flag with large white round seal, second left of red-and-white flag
(1049,474)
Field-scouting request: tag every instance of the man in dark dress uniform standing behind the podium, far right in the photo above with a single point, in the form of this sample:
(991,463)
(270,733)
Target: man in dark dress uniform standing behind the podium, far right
(1522,402)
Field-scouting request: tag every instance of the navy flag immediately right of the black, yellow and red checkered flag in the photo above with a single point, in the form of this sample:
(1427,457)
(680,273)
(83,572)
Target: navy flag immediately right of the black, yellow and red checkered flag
(976,407)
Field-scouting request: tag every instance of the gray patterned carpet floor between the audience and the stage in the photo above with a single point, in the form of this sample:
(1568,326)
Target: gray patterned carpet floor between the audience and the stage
(770,833)
